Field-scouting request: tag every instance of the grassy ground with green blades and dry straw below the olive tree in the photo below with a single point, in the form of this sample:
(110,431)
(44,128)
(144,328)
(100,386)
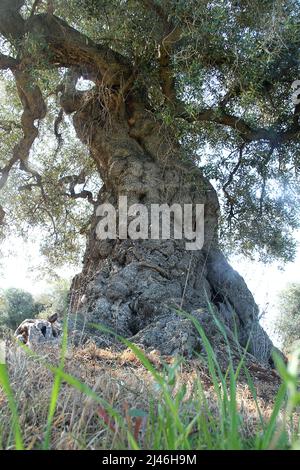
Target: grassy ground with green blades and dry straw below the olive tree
(90,398)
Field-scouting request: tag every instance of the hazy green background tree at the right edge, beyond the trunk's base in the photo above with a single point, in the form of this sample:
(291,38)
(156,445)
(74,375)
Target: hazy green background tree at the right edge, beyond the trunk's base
(288,325)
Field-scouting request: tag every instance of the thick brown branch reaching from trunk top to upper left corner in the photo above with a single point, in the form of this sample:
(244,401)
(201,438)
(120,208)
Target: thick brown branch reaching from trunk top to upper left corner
(61,44)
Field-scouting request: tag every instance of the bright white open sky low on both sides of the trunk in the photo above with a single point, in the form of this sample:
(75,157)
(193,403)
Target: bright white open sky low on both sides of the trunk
(19,269)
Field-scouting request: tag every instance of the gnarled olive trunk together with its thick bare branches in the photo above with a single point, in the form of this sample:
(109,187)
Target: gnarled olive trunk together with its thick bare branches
(135,287)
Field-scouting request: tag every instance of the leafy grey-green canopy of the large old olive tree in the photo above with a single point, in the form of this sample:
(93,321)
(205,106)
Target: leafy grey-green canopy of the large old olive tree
(219,73)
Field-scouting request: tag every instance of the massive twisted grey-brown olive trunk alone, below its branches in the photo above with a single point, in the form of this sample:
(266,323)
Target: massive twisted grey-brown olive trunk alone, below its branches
(136,287)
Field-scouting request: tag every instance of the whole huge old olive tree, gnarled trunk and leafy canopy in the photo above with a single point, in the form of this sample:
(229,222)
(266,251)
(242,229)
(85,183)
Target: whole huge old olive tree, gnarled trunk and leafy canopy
(164,97)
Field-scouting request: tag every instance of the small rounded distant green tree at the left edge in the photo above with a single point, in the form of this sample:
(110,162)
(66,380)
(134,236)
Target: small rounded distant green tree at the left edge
(17,305)
